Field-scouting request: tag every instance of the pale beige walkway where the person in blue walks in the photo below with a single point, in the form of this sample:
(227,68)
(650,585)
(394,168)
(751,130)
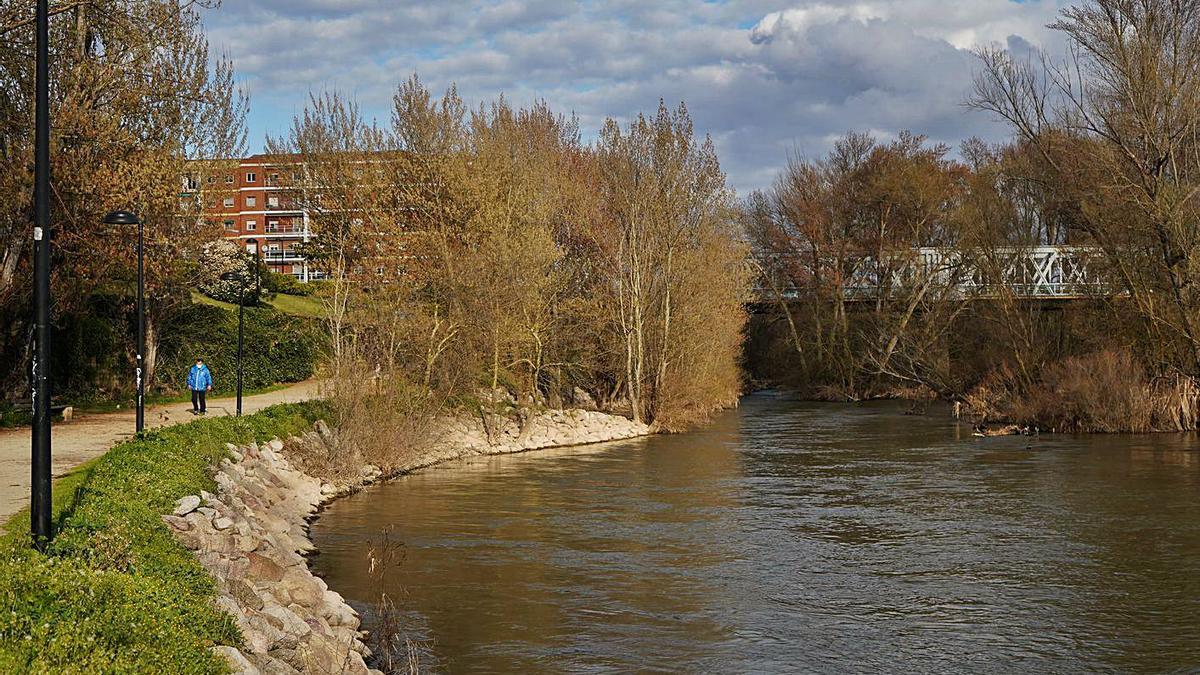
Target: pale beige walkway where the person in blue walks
(89,437)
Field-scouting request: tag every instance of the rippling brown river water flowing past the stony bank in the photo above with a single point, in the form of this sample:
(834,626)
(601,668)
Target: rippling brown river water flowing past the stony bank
(794,537)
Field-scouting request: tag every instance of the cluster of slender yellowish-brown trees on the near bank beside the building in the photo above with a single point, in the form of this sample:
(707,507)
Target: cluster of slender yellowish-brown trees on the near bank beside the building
(489,249)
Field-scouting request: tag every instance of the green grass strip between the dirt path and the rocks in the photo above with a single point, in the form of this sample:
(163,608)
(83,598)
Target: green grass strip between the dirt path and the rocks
(116,593)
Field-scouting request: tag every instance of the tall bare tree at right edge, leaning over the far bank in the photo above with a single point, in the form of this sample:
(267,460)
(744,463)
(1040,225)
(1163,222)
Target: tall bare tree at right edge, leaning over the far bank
(1117,126)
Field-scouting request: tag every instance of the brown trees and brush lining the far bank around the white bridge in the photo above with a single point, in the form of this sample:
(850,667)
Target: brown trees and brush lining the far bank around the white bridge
(1106,154)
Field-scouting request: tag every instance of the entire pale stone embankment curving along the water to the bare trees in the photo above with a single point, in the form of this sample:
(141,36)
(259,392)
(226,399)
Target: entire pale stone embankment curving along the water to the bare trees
(253,535)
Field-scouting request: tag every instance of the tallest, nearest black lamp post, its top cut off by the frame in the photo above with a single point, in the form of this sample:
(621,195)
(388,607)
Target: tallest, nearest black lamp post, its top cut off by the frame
(40,371)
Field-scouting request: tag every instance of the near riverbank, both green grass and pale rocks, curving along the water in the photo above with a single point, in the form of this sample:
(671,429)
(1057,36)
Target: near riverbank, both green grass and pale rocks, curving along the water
(183,549)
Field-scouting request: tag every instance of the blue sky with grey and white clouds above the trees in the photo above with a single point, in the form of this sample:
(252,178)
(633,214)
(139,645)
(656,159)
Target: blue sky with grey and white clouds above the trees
(765,79)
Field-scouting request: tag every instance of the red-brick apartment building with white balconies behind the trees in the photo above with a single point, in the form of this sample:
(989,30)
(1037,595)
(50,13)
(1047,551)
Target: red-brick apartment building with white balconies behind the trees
(251,201)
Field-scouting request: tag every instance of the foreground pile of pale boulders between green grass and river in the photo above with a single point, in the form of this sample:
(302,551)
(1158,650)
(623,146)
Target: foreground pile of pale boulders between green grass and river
(250,536)
